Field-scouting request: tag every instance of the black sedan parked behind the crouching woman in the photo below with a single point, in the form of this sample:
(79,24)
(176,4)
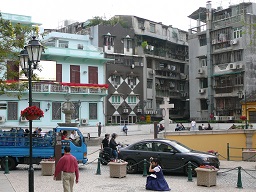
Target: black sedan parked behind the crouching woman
(174,156)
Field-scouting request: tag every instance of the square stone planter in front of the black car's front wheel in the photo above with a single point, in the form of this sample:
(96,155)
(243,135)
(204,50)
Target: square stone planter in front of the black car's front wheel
(206,177)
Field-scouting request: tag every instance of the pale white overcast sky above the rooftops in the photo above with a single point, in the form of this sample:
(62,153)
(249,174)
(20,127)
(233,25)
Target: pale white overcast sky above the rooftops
(50,13)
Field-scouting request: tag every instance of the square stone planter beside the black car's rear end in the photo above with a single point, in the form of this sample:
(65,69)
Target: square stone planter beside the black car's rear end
(117,169)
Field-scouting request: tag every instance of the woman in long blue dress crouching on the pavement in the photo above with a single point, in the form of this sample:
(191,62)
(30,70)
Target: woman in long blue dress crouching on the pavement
(156,180)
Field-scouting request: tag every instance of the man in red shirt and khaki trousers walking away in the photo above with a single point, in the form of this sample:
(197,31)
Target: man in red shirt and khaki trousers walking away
(68,164)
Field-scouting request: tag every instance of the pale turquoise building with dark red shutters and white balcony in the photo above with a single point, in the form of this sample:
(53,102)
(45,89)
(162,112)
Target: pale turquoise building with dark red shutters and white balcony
(71,69)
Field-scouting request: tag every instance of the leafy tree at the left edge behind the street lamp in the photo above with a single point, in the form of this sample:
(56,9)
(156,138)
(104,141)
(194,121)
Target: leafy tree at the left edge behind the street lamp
(13,37)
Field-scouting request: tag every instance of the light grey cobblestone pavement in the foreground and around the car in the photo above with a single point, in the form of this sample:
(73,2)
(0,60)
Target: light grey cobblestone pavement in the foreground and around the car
(91,182)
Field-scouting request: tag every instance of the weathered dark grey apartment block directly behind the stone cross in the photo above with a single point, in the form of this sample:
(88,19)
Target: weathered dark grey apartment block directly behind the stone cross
(165,65)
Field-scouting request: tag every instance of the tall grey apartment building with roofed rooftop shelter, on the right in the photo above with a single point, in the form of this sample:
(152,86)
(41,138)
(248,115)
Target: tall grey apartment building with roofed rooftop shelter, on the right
(222,62)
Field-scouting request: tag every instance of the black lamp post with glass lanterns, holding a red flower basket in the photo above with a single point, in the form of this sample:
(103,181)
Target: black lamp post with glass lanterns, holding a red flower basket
(28,56)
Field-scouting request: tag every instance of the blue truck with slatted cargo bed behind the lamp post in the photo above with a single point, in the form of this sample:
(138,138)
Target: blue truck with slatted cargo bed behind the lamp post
(15,142)
